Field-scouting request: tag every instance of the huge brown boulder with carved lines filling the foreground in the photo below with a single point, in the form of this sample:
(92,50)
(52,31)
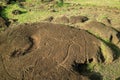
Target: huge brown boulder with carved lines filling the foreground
(46,51)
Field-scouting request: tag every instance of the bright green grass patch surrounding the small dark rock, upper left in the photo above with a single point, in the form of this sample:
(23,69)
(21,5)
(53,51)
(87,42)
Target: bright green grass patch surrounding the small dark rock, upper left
(28,16)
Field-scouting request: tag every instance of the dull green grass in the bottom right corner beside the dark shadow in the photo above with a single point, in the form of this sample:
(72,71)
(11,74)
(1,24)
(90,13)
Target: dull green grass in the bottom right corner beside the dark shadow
(110,71)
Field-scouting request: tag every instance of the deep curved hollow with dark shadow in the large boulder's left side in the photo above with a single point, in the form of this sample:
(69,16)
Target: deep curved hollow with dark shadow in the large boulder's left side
(33,43)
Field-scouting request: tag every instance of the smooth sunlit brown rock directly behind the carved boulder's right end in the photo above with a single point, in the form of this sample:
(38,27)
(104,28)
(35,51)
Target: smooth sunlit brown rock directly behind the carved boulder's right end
(101,30)
